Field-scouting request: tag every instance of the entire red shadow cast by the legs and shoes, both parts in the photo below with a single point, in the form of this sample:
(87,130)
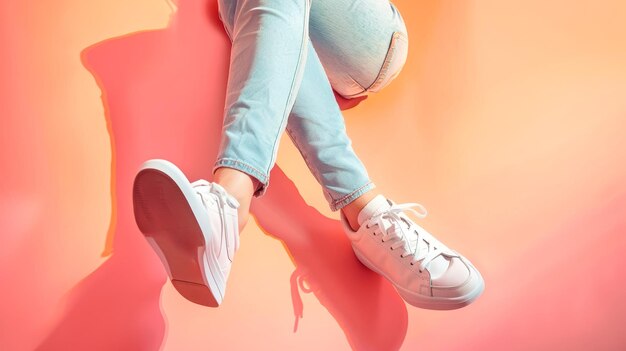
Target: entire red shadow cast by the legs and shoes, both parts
(163,93)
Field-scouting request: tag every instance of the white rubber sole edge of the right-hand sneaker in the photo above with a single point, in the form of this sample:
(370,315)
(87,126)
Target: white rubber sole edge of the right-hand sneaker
(431,303)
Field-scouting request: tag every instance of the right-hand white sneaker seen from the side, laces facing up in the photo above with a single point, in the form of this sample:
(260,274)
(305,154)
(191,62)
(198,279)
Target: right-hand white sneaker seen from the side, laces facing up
(425,272)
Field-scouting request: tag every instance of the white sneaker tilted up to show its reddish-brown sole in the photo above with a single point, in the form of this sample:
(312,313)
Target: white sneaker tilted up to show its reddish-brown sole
(193,228)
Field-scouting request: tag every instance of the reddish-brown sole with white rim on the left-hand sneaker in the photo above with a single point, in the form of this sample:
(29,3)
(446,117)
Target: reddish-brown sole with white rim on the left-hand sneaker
(169,215)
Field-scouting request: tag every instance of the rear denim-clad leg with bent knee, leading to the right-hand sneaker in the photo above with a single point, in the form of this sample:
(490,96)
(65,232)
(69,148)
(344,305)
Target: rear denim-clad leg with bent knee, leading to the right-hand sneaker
(354,55)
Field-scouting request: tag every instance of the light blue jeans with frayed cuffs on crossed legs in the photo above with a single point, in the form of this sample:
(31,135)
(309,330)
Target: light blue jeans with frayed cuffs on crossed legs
(287,56)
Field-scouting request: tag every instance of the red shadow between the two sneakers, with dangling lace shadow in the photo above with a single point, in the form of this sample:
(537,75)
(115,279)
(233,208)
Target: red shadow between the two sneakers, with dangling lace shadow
(368,309)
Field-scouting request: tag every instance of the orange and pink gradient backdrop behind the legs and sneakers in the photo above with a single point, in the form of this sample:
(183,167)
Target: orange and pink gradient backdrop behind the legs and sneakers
(508,123)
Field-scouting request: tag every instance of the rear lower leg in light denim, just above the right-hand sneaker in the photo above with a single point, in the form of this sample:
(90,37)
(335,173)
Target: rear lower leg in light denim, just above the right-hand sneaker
(317,128)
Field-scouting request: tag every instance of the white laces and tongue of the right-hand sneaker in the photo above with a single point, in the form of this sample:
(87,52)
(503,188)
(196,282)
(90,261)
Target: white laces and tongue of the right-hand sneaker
(396,227)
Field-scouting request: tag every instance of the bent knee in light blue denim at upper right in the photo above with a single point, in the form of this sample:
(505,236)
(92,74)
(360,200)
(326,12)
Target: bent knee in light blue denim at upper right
(362,44)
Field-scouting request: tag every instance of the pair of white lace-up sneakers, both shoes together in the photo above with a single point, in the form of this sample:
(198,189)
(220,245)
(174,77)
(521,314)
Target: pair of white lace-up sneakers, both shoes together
(193,228)
